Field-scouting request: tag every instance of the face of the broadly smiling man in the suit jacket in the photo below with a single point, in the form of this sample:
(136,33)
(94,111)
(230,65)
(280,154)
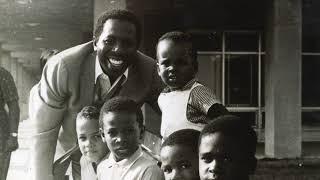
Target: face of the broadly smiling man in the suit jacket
(116,47)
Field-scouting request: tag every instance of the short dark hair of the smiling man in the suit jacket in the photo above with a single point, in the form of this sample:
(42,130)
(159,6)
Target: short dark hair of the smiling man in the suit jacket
(119,14)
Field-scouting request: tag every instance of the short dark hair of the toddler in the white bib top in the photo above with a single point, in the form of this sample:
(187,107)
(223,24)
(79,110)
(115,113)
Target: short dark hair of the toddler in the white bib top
(181,37)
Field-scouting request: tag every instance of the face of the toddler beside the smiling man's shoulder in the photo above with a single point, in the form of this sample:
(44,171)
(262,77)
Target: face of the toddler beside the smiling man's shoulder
(175,65)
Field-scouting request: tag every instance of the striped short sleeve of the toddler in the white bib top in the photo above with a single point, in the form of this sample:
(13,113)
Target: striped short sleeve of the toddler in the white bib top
(202,98)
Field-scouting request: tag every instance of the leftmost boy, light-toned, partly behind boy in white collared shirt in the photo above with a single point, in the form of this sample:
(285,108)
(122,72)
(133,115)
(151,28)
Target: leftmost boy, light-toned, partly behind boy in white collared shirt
(92,147)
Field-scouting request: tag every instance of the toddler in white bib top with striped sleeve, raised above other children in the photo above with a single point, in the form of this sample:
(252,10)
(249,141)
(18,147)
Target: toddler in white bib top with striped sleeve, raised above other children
(185,103)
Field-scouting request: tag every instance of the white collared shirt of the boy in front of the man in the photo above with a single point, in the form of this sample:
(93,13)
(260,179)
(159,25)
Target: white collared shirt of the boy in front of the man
(137,167)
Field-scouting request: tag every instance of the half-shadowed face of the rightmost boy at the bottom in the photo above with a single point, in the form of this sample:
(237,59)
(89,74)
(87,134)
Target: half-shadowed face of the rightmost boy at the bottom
(222,158)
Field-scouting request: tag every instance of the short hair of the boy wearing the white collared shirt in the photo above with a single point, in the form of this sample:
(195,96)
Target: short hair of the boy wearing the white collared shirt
(123,104)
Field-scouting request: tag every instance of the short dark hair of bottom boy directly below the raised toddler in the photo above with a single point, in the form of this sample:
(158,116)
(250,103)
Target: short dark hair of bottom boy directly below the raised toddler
(184,137)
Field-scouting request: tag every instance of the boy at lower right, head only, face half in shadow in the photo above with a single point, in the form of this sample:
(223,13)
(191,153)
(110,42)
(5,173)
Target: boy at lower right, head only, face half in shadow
(227,149)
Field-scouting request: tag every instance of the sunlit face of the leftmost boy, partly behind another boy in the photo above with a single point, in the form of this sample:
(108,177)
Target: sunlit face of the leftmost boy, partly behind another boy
(90,141)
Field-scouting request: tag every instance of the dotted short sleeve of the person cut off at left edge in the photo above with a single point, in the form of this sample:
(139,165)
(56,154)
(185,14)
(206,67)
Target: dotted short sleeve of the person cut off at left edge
(8,88)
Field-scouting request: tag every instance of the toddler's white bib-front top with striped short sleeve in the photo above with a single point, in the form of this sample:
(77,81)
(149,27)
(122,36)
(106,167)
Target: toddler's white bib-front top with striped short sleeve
(185,108)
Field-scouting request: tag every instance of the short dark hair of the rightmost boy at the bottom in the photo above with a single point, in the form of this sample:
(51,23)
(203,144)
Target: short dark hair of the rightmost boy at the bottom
(233,127)
